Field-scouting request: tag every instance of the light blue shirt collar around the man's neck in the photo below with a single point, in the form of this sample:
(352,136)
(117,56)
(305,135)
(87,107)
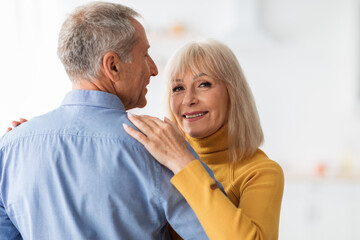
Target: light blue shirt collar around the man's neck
(92,98)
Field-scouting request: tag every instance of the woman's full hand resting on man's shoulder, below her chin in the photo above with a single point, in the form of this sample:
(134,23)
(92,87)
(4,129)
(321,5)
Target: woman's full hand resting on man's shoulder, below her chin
(162,139)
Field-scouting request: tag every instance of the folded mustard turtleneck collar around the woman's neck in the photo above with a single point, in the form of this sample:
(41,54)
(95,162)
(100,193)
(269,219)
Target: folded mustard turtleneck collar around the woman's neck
(217,142)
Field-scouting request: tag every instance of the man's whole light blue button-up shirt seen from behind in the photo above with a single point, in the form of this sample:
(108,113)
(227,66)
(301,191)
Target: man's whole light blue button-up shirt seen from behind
(74,173)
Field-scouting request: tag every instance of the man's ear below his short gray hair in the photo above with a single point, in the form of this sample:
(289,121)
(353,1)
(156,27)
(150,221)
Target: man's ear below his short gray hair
(111,66)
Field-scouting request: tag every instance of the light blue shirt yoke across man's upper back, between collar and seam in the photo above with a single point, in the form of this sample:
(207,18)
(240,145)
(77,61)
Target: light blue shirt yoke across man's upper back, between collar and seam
(84,123)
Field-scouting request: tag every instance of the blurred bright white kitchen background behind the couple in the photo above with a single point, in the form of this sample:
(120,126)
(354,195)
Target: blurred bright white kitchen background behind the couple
(301,59)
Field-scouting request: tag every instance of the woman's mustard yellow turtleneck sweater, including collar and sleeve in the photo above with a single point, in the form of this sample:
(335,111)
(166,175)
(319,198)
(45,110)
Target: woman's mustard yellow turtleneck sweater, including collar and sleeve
(254,187)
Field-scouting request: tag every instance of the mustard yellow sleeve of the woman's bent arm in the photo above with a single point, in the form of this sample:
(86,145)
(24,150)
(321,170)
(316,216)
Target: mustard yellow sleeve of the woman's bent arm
(256,217)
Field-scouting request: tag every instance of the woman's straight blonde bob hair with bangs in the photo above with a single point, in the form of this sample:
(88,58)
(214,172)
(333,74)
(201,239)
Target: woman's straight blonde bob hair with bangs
(216,60)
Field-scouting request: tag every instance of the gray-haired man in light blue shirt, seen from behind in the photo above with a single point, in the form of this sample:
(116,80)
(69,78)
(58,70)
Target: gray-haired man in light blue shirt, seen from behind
(74,173)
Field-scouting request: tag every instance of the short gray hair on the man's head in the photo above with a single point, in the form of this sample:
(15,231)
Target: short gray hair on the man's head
(90,32)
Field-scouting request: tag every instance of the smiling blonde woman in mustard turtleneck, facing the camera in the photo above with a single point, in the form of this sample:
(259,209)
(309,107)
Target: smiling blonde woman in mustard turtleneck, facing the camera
(212,104)
